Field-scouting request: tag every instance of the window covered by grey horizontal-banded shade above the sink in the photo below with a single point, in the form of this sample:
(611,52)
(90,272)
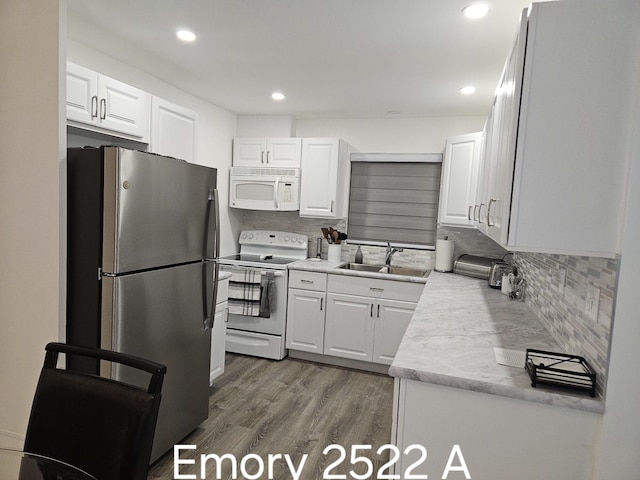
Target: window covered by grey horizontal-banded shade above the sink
(394,198)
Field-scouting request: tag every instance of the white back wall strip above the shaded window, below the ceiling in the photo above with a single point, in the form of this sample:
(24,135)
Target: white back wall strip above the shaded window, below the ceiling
(391,135)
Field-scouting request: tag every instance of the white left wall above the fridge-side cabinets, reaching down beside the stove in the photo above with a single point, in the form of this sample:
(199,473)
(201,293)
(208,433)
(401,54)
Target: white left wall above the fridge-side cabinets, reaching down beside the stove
(216,126)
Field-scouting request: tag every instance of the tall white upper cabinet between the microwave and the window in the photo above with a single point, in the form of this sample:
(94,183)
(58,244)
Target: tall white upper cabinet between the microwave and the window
(325,174)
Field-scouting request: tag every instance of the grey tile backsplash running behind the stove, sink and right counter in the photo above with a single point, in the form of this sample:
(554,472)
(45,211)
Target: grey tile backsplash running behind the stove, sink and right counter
(561,312)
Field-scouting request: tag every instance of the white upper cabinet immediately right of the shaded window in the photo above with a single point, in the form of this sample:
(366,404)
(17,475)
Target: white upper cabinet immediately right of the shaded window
(458,189)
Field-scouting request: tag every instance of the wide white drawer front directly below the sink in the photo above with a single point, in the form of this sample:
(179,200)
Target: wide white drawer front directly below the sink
(375,287)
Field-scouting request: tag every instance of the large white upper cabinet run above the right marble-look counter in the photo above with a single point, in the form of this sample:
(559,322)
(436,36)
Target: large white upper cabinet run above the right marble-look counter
(557,143)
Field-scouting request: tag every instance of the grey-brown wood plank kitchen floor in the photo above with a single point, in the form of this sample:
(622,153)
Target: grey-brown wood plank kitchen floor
(262,407)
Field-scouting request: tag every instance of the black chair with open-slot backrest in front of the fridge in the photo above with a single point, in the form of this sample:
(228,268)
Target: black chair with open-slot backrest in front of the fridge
(97,424)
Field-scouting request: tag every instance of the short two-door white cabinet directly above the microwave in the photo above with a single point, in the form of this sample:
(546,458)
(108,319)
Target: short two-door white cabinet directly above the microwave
(267,152)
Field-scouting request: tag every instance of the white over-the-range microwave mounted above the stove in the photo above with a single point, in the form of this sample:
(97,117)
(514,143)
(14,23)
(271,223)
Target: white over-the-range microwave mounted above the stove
(264,192)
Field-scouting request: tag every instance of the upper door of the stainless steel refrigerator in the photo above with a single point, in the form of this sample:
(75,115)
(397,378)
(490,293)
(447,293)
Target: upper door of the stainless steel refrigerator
(157,211)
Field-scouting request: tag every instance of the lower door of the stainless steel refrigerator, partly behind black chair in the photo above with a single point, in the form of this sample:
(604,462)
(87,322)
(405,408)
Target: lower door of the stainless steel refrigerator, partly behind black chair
(159,315)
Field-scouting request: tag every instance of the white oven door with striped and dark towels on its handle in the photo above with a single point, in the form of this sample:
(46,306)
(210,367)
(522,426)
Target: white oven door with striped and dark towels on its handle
(276,322)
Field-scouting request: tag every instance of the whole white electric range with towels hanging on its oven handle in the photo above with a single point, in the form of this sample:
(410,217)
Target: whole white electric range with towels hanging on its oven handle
(258,291)
